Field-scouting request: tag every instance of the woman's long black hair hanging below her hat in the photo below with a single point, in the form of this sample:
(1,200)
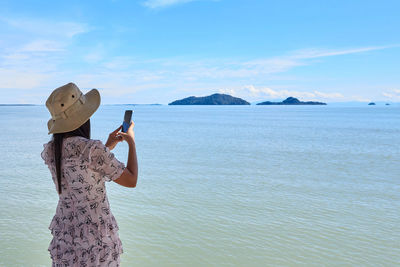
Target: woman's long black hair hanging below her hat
(83,130)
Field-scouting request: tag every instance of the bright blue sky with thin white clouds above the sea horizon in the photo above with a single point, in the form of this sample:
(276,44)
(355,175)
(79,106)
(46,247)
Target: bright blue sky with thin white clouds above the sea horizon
(157,51)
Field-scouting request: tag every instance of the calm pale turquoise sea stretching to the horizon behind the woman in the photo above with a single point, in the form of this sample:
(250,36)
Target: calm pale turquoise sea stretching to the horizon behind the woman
(224,186)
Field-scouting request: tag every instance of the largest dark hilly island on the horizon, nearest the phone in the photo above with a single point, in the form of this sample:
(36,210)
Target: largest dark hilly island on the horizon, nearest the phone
(215,99)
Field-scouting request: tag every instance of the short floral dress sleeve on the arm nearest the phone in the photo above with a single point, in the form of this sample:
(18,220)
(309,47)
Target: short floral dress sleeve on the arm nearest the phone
(103,161)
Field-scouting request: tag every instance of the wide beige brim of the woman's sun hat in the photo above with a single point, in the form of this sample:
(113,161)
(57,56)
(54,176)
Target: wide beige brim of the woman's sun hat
(75,120)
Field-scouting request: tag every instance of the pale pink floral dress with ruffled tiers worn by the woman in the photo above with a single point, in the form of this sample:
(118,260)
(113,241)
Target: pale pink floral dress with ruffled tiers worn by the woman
(85,232)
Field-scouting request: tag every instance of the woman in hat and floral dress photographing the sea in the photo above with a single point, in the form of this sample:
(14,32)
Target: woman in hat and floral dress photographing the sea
(85,232)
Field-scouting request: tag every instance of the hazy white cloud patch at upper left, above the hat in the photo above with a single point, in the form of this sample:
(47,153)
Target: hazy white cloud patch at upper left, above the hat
(32,51)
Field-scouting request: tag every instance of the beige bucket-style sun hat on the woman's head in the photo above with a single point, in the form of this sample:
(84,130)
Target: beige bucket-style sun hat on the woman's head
(70,108)
